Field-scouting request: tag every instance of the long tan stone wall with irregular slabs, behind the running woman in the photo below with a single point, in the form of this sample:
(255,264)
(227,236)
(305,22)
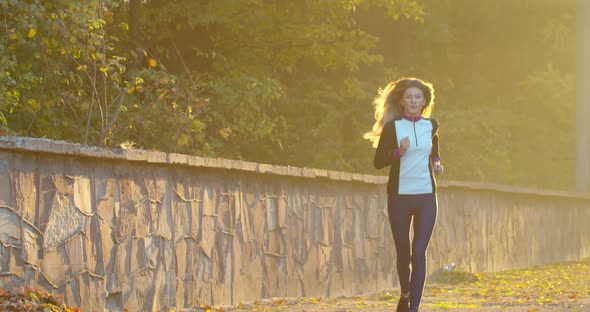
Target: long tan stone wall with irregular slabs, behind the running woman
(114,229)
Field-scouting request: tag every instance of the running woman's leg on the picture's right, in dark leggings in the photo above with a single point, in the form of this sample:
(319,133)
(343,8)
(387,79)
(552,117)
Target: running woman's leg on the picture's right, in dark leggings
(424,220)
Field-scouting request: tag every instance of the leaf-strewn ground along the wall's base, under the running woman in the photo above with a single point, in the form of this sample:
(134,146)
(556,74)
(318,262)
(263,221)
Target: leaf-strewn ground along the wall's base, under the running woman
(555,287)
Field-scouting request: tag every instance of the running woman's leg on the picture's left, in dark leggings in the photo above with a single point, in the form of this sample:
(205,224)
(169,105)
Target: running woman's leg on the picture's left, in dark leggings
(398,207)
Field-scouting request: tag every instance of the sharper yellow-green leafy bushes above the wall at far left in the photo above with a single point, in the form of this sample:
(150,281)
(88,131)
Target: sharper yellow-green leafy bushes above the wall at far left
(68,76)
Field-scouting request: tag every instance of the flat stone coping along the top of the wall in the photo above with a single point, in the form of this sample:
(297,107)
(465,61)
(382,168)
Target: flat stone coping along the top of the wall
(43,145)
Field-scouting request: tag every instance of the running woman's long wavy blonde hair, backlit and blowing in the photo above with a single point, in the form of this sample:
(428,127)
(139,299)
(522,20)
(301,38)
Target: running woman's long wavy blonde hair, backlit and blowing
(388,104)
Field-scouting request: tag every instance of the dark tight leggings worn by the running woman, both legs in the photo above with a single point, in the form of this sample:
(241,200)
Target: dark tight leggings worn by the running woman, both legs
(402,208)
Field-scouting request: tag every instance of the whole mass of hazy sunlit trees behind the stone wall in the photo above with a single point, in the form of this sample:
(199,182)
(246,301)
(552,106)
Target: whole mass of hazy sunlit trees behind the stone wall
(292,83)
